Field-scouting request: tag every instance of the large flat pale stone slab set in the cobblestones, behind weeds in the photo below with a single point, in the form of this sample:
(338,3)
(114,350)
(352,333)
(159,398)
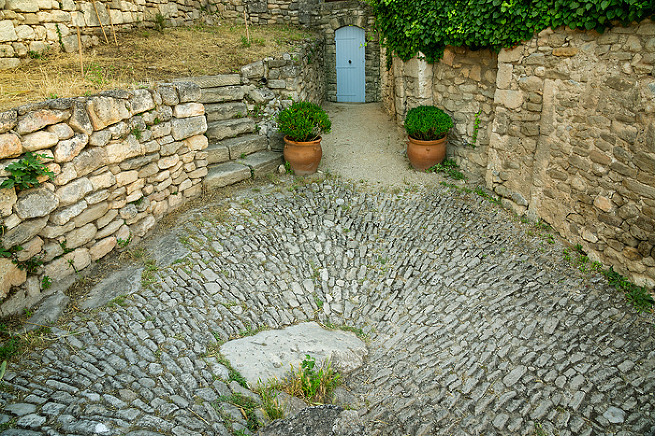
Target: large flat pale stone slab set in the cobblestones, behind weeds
(270,354)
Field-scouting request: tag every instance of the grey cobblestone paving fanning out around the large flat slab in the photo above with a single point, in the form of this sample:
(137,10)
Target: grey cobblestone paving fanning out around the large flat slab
(475,327)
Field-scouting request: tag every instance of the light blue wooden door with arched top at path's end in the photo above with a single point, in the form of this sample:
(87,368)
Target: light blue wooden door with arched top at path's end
(351,77)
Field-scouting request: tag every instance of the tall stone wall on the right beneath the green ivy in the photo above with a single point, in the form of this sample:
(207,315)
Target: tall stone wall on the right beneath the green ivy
(566,132)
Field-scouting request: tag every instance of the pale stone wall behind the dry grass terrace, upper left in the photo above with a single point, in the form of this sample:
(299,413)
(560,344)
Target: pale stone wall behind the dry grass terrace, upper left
(50,25)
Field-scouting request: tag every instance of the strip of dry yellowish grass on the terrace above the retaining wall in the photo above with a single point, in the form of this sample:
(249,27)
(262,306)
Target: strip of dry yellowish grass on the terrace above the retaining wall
(143,57)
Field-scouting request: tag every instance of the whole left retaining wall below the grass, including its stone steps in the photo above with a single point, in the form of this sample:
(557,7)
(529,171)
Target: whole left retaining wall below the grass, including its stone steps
(124,159)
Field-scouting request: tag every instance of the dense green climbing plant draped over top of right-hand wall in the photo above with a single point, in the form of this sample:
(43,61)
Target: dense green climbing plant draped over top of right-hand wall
(428,26)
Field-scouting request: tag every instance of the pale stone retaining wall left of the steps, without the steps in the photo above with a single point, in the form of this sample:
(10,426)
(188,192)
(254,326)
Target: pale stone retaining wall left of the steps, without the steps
(121,160)
